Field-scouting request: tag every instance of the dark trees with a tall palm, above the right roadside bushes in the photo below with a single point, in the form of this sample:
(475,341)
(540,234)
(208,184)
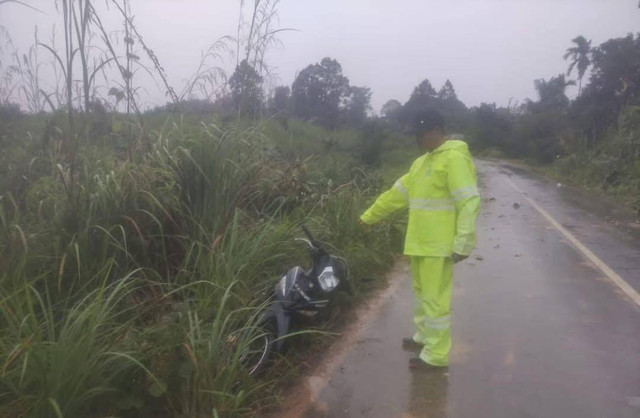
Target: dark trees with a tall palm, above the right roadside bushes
(552,126)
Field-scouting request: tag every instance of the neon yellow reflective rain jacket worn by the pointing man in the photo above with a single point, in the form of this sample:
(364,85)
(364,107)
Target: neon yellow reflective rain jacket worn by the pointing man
(441,192)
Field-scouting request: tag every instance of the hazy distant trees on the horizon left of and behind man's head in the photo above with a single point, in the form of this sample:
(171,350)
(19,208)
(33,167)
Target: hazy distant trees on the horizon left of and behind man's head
(321,93)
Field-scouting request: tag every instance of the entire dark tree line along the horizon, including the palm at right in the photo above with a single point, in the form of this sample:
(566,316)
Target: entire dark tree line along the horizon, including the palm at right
(544,128)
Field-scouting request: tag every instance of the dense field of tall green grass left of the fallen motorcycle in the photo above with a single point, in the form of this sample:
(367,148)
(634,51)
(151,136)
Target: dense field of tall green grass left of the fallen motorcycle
(118,299)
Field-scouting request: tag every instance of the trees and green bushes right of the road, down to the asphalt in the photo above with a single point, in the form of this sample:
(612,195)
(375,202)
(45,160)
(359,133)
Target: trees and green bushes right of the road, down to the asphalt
(591,141)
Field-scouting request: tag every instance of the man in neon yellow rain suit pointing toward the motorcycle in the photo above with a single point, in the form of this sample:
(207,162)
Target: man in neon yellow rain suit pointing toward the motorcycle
(441,193)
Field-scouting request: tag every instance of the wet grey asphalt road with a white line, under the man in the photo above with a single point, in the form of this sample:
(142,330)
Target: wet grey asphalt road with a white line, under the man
(538,329)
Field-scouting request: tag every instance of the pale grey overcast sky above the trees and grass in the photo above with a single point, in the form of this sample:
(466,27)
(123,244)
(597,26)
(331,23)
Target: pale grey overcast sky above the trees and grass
(491,50)
